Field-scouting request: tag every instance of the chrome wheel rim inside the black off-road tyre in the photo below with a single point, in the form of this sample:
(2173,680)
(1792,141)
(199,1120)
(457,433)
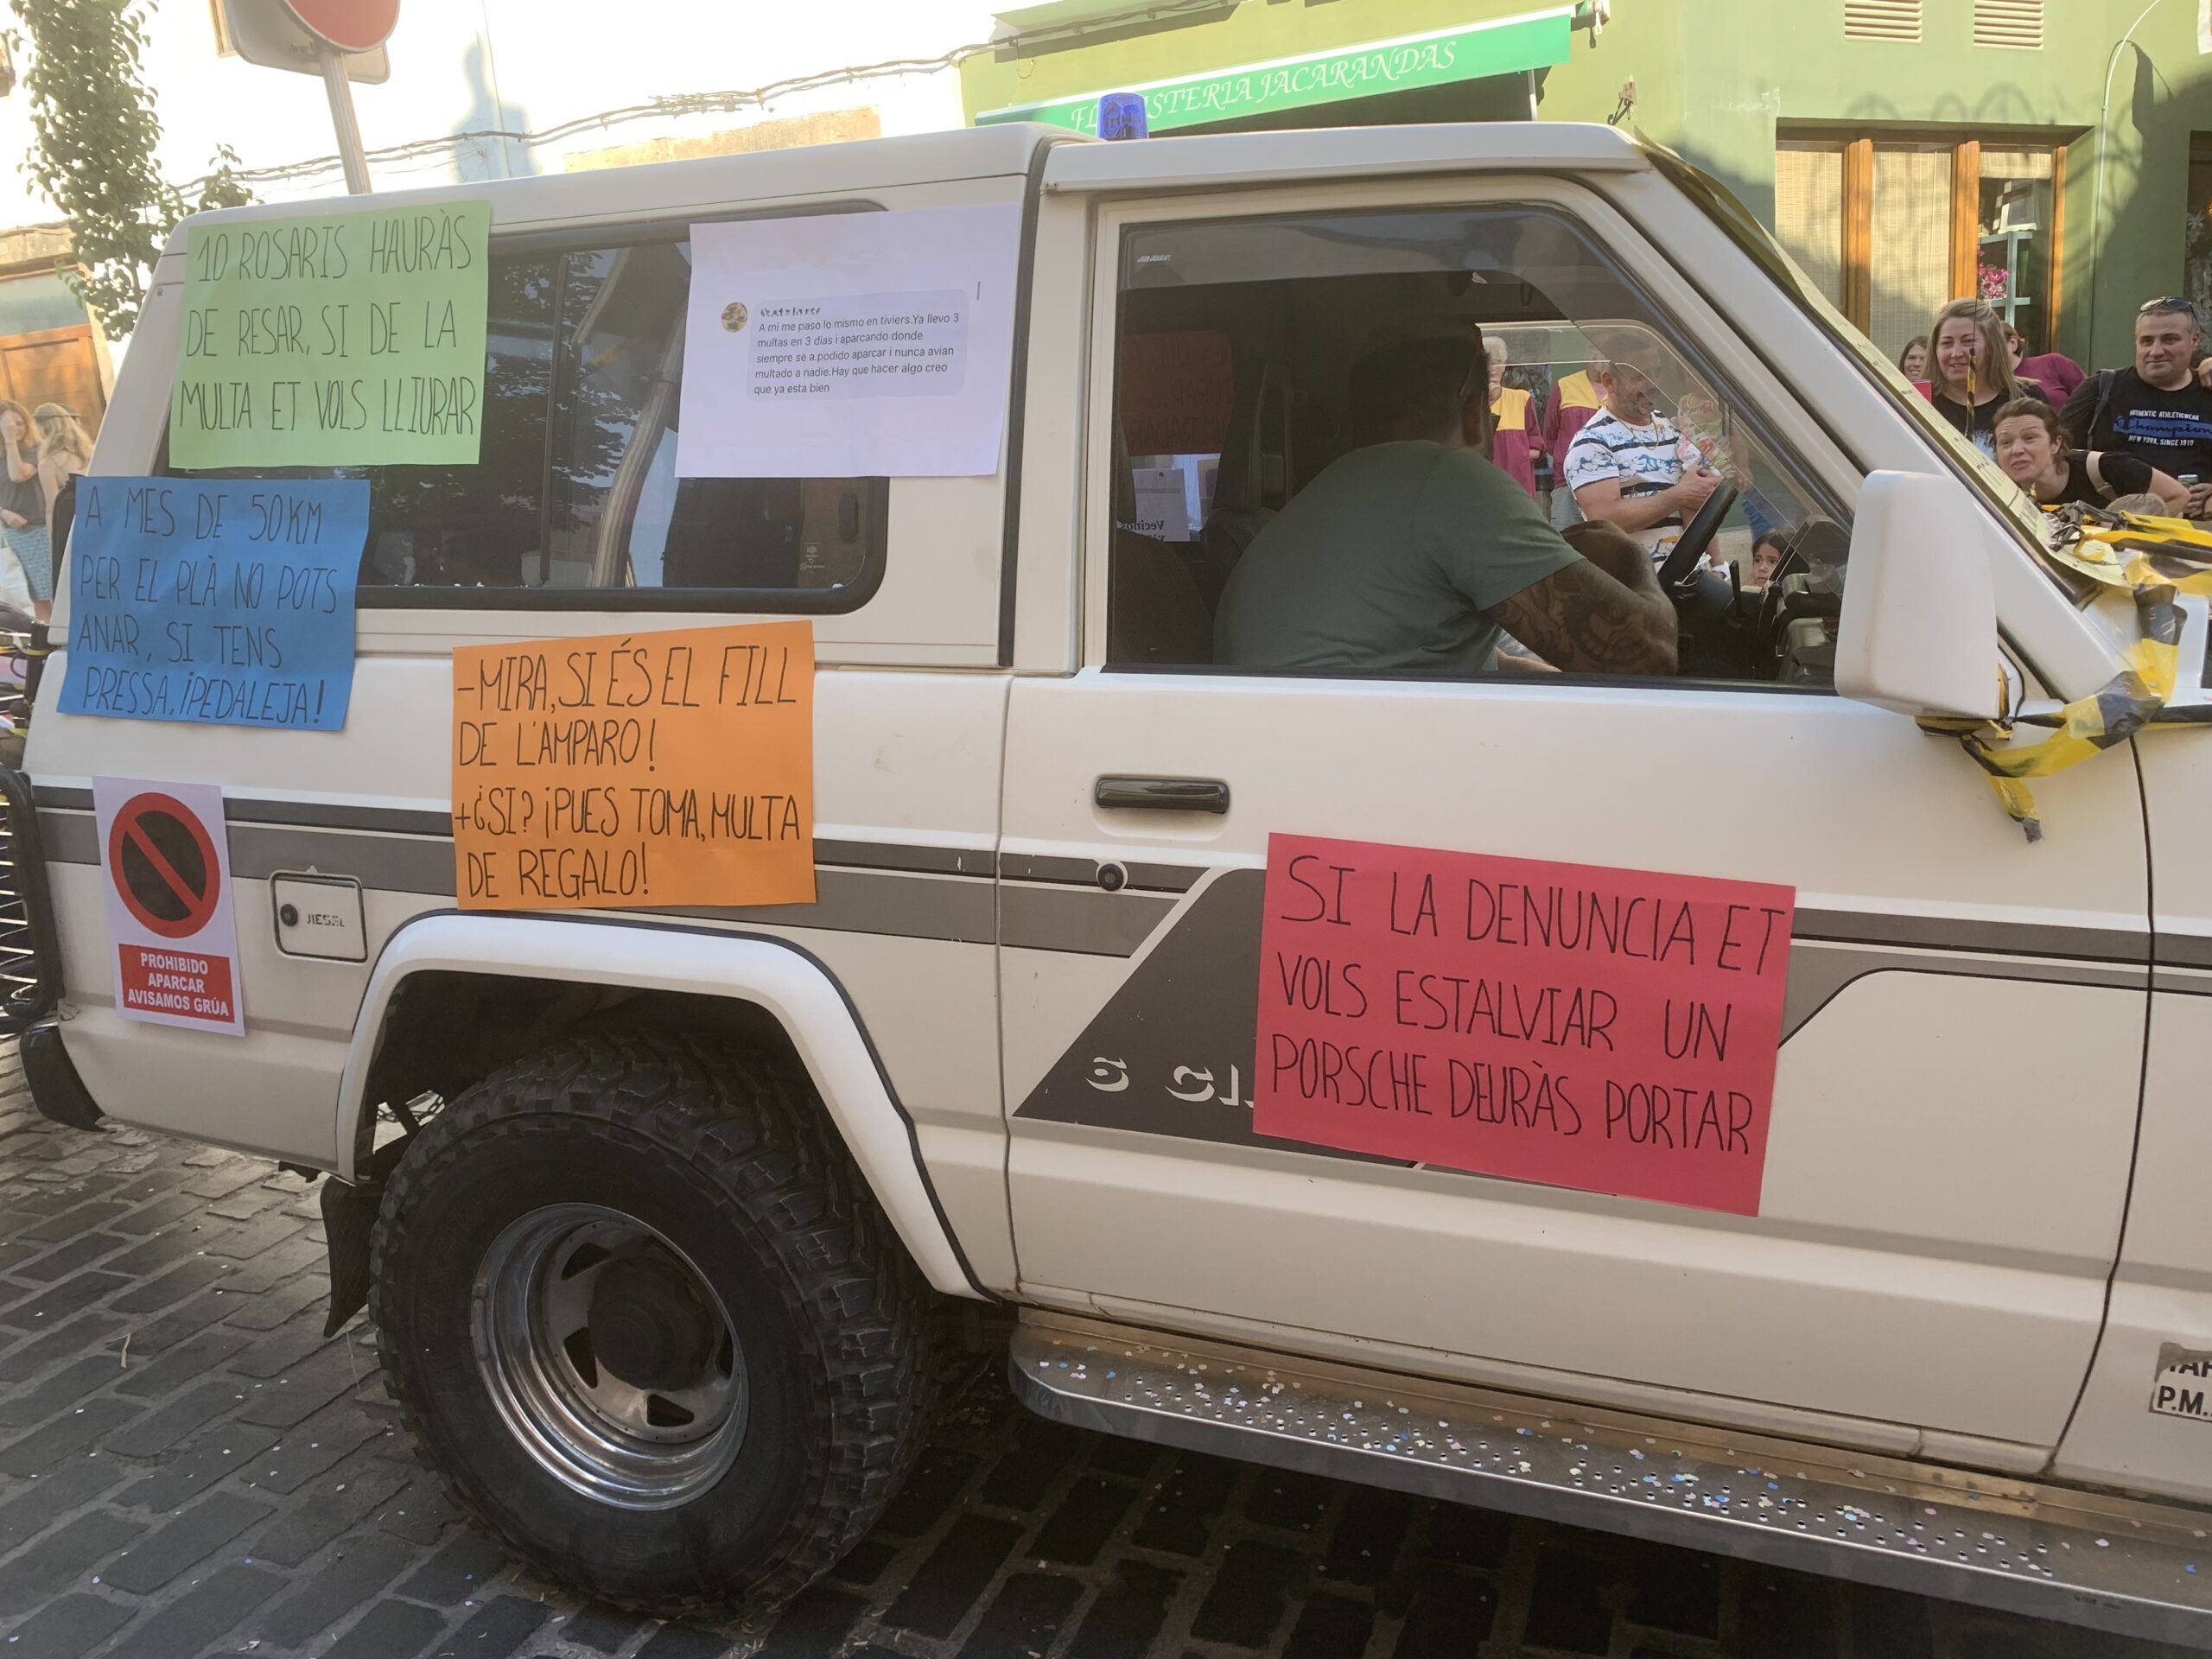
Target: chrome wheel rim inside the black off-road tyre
(609,1357)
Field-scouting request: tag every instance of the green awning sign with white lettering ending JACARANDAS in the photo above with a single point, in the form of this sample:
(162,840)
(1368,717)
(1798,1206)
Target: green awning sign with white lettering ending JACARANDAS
(1503,48)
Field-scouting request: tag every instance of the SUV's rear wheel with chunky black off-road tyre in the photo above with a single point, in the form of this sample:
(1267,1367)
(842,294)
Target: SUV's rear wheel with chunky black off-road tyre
(643,1315)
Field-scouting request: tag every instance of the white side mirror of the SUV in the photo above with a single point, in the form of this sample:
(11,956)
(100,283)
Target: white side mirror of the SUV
(1919,627)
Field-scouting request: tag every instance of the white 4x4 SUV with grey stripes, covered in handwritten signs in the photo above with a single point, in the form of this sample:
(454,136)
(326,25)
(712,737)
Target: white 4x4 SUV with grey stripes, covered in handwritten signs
(656,1209)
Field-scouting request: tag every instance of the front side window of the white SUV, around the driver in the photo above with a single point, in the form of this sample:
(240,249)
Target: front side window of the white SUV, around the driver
(1238,346)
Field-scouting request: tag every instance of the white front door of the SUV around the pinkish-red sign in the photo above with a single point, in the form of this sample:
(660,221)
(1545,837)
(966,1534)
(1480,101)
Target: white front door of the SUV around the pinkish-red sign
(1939,1187)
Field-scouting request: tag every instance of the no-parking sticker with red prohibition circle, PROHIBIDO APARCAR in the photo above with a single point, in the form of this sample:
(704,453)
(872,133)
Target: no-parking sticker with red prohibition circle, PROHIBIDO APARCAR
(169,904)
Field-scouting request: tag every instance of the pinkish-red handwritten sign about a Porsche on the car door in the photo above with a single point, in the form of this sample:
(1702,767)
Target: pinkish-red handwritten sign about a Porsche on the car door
(1578,1025)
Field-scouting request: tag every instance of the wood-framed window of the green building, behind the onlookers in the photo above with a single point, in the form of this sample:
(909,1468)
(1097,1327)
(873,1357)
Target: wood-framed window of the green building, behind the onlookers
(1895,227)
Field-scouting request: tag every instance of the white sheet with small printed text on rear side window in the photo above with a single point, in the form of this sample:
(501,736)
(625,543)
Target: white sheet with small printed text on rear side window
(851,346)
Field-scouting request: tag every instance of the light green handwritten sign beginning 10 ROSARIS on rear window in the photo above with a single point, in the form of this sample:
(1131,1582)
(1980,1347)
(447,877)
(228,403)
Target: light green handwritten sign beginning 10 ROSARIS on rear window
(333,340)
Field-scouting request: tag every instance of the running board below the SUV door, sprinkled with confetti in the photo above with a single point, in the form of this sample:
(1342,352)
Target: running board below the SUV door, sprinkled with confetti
(2016,1545)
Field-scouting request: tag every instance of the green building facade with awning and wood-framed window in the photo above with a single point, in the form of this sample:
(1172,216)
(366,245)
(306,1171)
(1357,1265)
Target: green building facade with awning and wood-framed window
(2052,156)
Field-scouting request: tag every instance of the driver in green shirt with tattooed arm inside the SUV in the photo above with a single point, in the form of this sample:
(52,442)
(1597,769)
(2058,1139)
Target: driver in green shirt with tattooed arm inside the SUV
(1412,552)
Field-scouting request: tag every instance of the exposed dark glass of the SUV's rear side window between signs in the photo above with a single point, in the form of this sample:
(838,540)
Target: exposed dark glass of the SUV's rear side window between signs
(576,499)
